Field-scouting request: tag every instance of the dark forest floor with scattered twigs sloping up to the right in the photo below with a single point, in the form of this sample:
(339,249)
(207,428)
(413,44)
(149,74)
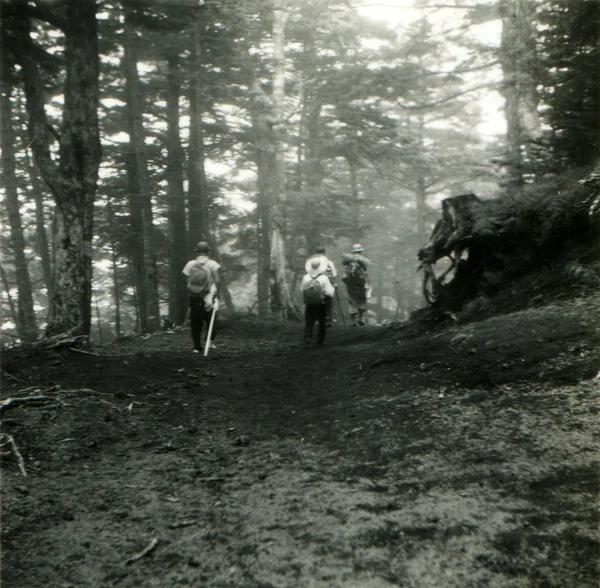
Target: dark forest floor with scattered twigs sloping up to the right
(463,457)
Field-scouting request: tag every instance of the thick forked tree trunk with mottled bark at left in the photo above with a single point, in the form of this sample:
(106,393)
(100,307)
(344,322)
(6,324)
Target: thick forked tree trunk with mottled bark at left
(73,181)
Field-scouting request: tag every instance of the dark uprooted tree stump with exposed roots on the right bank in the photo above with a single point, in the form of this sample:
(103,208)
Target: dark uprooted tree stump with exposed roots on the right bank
(490,243)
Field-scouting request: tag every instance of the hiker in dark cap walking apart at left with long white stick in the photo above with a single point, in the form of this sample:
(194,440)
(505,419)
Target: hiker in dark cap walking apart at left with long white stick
(203,286)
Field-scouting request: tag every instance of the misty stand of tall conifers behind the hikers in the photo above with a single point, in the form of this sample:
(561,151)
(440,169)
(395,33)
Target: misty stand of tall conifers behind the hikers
(132,130)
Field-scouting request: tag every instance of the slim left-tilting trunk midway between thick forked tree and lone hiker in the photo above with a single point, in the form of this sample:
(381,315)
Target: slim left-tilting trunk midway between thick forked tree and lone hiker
(140,197)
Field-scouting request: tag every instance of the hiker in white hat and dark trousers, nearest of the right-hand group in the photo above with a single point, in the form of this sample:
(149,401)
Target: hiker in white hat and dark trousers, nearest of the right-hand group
(316,289)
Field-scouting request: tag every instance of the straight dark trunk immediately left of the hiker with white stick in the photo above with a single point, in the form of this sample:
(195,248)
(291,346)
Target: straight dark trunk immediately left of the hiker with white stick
(175,198)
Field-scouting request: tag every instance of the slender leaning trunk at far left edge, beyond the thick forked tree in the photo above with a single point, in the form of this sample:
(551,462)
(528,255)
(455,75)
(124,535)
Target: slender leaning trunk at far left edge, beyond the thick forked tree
(26,324)
